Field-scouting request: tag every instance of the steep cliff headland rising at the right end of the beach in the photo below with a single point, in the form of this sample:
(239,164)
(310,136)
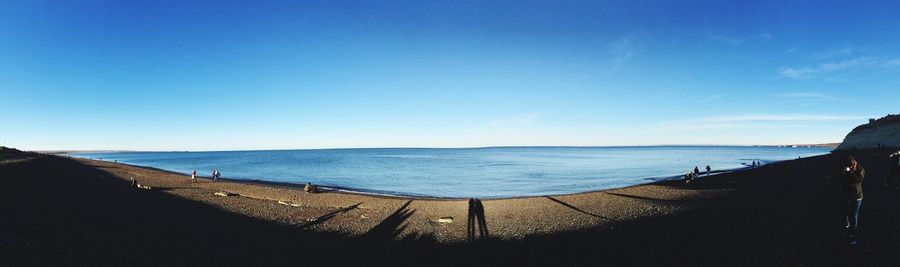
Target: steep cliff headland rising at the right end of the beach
(883,132)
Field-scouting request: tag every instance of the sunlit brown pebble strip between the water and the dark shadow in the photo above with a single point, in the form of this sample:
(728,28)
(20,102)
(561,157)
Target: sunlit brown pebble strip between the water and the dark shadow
(258,198)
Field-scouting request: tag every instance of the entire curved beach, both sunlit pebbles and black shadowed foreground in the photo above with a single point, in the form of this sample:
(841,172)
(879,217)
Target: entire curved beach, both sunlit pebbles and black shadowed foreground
(56,210)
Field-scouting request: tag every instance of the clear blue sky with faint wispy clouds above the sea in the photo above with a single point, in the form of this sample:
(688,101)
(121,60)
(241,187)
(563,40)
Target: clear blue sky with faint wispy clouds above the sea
(235,75)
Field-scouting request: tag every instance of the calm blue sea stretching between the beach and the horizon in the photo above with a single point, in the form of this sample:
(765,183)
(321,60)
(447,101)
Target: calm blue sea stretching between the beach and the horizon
(475,172)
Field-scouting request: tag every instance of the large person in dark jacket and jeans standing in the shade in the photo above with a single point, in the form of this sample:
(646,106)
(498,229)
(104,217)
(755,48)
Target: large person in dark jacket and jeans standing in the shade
(851,178)
